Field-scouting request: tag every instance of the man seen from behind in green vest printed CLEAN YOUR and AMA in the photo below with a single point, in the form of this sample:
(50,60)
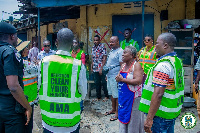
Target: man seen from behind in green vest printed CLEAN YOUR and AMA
(63,85)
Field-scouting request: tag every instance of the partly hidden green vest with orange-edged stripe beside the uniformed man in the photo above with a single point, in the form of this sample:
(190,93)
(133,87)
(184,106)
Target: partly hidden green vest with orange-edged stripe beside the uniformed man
(30,88)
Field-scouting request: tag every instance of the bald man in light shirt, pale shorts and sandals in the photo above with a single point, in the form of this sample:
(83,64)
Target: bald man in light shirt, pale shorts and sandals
(113,63)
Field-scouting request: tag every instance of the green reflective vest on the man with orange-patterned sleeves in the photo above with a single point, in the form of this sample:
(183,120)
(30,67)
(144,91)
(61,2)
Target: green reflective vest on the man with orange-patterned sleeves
(172,100)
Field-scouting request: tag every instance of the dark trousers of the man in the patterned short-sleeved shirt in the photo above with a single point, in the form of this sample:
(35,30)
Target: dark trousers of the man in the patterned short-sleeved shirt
(100,80)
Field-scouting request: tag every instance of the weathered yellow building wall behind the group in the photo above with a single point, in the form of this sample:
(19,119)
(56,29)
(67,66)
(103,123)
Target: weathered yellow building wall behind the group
(101,18)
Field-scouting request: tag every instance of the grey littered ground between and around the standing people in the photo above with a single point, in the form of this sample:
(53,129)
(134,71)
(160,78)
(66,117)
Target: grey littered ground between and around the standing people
(94,121)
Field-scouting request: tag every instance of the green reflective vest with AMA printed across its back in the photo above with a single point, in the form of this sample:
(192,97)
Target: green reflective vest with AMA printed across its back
(59,95)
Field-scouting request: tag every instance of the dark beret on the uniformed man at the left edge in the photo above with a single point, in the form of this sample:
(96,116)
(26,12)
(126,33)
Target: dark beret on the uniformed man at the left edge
(6,28)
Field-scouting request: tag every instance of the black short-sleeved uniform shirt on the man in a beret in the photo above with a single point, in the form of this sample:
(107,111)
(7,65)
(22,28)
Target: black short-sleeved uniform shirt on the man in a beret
(11,64)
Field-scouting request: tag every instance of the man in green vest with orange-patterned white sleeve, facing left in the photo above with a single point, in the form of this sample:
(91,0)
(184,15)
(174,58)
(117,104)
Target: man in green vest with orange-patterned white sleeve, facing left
(163,91)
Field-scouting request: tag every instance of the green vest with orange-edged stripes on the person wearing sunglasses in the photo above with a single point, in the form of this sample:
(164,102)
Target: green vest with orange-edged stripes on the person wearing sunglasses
(147,58)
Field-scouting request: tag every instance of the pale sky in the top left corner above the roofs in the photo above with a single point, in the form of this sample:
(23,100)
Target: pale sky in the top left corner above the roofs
(9,6)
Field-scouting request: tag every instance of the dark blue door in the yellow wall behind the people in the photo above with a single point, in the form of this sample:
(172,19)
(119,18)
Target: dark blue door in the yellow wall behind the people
(121,22)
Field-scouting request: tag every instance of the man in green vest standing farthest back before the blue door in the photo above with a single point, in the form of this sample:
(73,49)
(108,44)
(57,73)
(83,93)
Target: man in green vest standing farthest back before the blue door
(128,41)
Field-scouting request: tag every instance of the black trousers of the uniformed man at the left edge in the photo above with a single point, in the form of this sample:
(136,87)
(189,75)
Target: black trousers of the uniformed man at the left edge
(10,121)
